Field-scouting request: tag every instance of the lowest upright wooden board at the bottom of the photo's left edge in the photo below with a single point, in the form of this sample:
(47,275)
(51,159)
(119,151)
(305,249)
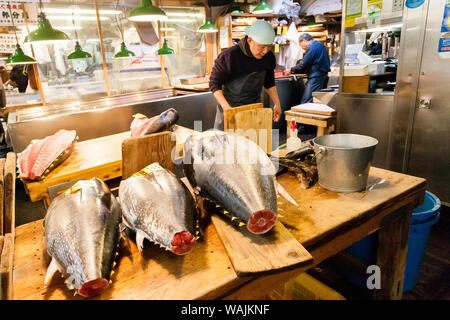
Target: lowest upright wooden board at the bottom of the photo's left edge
(6,268)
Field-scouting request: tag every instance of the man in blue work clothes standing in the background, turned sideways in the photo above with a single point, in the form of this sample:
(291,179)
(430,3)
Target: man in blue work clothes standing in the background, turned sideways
(316,65)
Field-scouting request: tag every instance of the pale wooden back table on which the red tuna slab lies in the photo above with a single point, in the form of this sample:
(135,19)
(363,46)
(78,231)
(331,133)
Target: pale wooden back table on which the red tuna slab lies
(100,157)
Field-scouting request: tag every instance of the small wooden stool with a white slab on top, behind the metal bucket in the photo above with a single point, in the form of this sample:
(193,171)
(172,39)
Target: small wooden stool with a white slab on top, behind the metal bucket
(323,123)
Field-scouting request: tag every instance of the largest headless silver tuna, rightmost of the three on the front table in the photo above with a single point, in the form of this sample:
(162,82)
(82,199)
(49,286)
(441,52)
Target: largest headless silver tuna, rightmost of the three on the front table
(236,174)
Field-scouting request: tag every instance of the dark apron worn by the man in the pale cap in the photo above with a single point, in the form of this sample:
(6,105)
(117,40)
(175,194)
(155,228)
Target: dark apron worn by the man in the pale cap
(243,90)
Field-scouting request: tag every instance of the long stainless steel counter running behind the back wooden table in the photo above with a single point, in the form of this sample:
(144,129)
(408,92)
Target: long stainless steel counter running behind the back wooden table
(93,120)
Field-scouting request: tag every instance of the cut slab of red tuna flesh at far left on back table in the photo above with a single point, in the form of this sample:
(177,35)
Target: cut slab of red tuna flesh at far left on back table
(43,155)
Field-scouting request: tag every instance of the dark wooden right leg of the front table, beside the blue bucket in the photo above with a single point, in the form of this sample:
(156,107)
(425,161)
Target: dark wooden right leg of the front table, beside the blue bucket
(392,250)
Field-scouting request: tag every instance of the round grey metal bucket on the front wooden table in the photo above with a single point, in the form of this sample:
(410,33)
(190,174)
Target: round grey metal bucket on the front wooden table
(343,161)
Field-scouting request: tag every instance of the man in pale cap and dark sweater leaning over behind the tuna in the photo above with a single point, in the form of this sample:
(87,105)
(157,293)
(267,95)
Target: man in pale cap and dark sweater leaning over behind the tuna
(240,72)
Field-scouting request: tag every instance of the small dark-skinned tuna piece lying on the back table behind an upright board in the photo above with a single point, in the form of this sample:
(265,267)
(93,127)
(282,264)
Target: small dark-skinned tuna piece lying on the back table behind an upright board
(142,125)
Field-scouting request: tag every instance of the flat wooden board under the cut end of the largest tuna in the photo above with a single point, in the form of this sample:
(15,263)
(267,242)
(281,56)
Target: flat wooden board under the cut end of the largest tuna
(253,254)
